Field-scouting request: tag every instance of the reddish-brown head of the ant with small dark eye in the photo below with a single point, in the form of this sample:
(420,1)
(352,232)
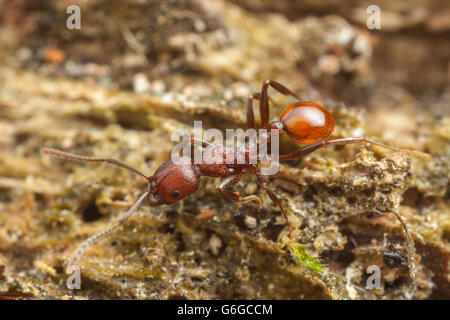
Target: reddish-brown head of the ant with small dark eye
(172,181)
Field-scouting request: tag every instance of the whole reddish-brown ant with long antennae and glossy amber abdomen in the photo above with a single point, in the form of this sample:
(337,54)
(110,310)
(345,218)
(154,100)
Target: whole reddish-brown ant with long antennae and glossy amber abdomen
(305,122)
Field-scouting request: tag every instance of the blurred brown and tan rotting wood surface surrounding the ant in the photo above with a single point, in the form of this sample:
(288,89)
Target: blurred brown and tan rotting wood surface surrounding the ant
(136,70)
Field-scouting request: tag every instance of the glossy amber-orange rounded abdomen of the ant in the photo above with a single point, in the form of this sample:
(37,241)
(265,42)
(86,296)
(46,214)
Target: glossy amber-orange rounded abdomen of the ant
(307,122)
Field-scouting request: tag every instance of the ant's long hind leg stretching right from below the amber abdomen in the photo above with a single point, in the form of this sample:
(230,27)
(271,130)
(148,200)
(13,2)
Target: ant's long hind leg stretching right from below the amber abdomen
(303,151)
